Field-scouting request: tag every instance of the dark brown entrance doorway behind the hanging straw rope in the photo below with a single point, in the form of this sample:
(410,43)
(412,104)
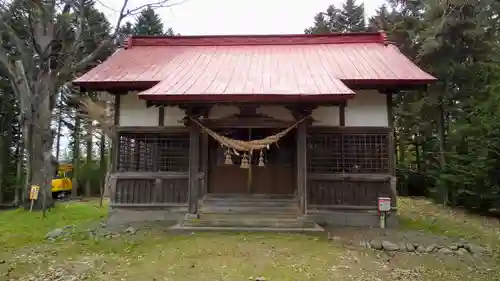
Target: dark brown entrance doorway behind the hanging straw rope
(275,177)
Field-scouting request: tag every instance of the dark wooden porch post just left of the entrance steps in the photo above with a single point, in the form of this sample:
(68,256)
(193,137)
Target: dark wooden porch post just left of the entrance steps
(194,163)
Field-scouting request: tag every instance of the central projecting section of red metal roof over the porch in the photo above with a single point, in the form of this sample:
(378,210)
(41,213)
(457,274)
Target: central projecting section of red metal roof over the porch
(211,72)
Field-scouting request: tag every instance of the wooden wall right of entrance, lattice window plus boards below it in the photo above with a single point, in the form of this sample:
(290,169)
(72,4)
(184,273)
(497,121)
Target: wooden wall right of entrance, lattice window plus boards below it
(347,167)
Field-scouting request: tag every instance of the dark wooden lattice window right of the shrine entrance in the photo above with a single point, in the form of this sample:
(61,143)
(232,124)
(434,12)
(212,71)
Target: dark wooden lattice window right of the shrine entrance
(348,152)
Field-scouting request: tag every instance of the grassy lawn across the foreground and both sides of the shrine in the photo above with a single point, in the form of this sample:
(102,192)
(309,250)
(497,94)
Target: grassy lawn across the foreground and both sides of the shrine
(156,255)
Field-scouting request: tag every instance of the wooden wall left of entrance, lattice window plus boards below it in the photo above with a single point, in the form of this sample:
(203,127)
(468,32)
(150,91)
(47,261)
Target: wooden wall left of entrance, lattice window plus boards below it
(152,169)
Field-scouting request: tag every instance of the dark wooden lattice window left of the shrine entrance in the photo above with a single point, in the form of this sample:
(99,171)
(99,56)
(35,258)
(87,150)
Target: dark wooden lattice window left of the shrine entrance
(153,152)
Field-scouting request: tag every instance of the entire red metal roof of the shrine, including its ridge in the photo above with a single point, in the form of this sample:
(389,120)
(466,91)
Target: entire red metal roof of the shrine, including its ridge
(304,65)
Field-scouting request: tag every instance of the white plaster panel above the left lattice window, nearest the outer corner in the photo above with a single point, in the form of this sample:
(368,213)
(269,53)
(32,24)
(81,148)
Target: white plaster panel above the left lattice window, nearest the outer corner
(133,112)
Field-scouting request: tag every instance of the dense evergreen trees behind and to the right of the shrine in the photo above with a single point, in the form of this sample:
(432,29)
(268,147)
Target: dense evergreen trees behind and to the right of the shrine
(448,140)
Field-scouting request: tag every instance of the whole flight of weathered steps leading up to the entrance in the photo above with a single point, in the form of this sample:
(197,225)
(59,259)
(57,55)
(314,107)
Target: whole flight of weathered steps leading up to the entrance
(249,213)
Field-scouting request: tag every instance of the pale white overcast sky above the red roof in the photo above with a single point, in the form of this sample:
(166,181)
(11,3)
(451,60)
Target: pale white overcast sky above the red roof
(221,17)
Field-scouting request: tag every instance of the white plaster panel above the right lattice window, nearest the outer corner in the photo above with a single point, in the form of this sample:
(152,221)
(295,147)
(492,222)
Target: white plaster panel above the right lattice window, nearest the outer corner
(368,108)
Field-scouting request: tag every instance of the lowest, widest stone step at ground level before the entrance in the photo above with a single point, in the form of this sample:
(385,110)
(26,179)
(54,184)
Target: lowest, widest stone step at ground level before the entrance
(180,227)
